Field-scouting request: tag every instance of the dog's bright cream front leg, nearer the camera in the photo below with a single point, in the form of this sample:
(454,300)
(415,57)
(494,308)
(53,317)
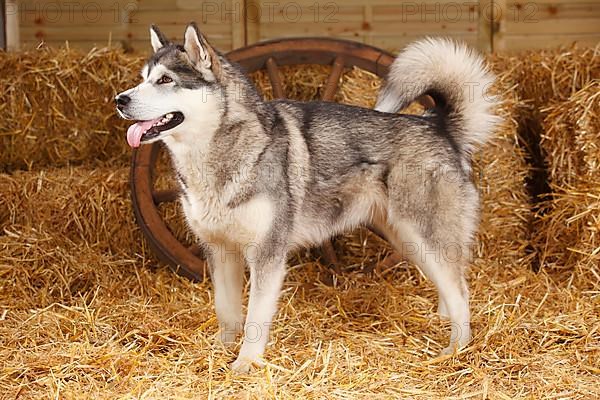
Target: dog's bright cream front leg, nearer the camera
(266,279)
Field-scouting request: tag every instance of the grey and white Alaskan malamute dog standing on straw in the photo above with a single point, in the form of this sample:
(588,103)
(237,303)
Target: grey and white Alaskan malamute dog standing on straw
(260,178)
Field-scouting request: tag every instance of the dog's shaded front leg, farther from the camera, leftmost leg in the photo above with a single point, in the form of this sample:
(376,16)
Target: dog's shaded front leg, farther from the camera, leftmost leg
(227,274)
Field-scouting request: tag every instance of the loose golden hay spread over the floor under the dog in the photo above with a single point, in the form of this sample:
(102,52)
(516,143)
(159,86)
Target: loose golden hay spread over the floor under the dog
(78,322)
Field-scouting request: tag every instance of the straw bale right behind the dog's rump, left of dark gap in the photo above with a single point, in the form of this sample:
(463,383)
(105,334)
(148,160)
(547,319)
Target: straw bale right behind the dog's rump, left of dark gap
(501,172)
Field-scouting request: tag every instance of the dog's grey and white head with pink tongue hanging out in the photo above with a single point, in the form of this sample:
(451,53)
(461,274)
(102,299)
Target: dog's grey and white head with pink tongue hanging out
(180,91)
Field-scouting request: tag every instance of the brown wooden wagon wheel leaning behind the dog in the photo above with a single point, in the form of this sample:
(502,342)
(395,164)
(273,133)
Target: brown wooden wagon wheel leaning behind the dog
(340,54)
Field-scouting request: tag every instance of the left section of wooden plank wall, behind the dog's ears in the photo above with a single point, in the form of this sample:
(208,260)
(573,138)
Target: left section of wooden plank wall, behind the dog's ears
(86,23)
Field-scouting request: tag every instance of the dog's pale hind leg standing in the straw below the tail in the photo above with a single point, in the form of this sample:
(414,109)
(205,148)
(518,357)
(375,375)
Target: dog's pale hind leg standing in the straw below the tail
(444,264)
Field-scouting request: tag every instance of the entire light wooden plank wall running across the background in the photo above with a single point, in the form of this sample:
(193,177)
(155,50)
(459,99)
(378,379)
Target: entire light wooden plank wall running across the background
(491,25)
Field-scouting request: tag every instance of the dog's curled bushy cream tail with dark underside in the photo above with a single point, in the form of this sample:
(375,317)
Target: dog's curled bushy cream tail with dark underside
(457,80)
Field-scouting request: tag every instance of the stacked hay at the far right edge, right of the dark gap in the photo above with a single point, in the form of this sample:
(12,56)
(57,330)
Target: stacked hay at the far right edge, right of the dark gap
(559,125)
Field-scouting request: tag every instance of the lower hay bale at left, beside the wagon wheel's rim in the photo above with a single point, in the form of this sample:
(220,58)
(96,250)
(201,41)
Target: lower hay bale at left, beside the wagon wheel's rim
(83,205)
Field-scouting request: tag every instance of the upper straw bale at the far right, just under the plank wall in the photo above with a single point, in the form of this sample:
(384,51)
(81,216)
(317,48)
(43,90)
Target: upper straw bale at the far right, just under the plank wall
(554,85)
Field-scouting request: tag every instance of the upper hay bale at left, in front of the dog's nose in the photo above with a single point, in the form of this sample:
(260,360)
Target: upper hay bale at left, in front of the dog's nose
(57,107)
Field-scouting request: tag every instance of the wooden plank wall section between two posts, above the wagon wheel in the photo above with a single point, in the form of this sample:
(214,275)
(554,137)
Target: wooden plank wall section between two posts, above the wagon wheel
(389,24)
